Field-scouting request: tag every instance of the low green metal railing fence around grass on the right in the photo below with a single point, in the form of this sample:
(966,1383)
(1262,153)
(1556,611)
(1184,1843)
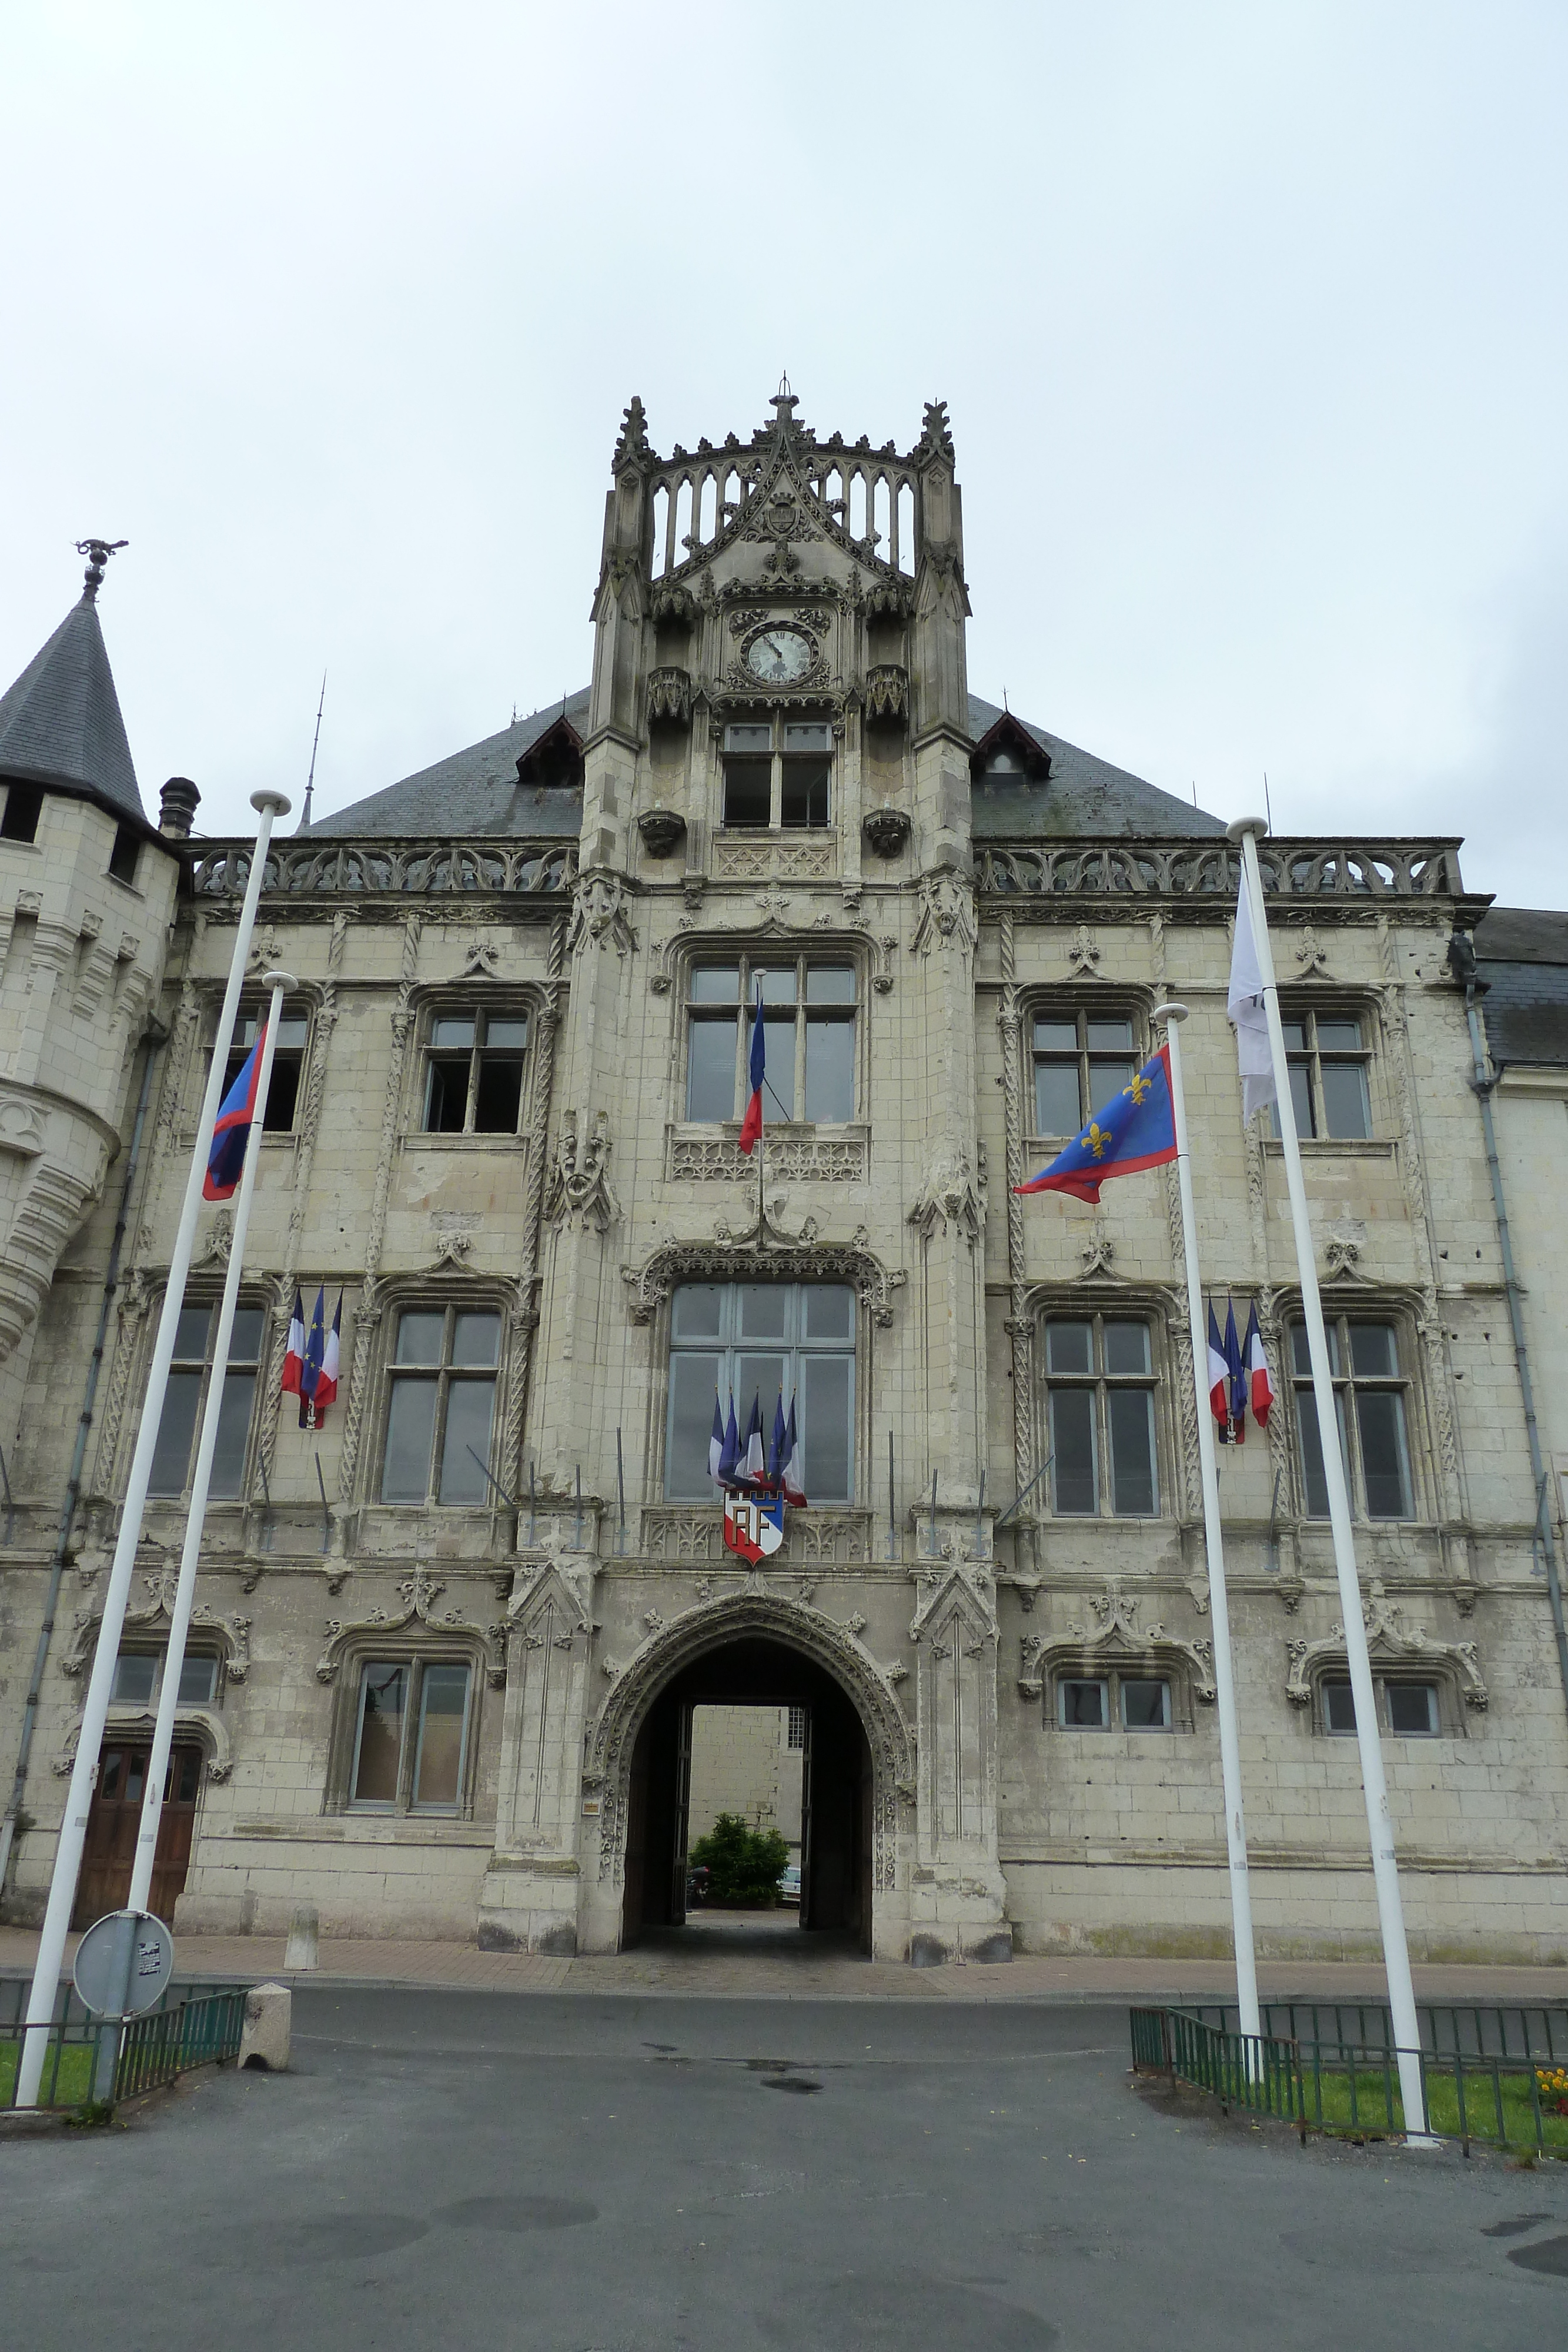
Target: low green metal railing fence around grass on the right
(1513,2094)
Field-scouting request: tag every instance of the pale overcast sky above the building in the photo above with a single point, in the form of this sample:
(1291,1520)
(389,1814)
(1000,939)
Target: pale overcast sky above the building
(1249,319)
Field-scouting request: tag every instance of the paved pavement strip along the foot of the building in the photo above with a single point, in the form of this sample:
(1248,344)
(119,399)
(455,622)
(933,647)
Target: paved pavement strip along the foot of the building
(737,1956)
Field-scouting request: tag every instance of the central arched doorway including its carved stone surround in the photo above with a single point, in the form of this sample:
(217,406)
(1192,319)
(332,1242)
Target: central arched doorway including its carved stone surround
(784,1652)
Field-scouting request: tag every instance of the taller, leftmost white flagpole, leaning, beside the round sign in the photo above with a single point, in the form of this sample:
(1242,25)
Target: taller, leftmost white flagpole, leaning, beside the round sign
(116,1591)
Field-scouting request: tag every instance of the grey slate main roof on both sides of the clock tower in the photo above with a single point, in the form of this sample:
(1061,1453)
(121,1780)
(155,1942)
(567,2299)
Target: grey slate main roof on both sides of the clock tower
(476,794)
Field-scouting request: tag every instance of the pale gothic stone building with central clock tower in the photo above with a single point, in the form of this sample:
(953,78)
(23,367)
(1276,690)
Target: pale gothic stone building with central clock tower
(445,1648)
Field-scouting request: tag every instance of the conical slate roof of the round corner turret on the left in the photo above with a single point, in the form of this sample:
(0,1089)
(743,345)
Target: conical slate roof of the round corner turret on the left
(60,726)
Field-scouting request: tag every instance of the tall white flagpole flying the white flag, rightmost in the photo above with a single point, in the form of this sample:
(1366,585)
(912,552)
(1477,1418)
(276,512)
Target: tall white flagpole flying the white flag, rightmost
(1381,1831)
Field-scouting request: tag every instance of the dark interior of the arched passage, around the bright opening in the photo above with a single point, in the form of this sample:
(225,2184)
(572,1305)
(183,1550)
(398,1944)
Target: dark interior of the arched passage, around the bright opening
(836,1789)
